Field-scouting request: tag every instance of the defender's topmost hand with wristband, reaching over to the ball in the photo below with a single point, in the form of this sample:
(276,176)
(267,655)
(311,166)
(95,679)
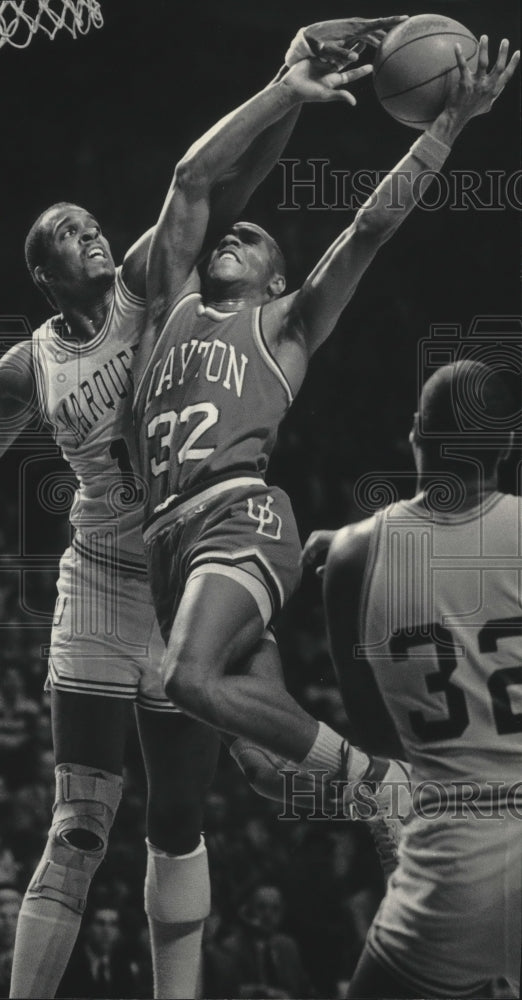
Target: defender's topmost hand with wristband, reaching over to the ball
(332,41)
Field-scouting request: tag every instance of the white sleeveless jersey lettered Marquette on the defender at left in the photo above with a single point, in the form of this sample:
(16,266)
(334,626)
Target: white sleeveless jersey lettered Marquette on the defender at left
(85,393)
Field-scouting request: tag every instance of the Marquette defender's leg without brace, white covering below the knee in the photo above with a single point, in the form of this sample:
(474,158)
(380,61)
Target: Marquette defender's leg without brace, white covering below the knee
(180,757)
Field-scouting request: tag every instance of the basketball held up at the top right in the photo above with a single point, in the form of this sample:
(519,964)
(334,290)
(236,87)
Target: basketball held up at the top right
(416,65)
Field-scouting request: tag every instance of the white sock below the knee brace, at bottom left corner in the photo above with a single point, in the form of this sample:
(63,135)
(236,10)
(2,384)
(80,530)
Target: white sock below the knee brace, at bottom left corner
(45,937)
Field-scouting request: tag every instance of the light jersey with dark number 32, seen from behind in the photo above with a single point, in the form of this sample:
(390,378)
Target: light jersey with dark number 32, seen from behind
(441,626)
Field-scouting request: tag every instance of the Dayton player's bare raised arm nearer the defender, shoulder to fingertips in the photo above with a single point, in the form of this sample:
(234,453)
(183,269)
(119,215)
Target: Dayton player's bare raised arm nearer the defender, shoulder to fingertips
(180,233)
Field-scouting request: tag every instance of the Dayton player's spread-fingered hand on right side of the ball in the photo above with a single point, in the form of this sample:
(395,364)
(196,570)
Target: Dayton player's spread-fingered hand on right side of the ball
(475,93)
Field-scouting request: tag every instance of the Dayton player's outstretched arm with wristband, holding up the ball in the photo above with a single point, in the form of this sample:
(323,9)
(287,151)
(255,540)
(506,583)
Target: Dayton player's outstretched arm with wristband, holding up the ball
(310,315)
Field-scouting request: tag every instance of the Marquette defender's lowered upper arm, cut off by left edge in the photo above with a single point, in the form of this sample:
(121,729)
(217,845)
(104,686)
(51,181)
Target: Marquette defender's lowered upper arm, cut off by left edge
(18,399)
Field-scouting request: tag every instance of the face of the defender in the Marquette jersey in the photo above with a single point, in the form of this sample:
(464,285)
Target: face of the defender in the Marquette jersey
(78,254)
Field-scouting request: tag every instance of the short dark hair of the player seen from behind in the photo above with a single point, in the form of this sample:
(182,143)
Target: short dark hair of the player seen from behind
(467,398)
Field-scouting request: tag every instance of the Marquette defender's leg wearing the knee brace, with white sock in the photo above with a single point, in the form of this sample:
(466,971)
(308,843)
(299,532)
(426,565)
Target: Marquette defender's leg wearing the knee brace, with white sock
(88,790)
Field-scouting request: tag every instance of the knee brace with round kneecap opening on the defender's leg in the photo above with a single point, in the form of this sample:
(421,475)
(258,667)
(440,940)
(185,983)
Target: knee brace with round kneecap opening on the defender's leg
(83,812)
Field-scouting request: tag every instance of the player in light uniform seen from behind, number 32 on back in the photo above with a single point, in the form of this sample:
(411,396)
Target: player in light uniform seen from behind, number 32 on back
(424,614)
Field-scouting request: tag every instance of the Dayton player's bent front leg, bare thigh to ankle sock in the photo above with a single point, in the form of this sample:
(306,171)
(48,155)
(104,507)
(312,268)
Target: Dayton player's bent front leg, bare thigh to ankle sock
(218,625)
